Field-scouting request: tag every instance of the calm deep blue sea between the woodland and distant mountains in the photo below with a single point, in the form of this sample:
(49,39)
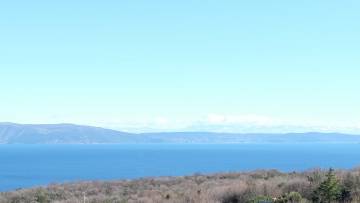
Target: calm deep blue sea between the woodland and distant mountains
(24,166)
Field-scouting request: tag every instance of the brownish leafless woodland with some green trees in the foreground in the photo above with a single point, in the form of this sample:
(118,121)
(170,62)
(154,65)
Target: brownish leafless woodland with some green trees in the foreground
(323,186)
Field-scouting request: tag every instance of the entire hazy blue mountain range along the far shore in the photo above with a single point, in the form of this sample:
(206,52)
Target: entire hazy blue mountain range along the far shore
(11,133)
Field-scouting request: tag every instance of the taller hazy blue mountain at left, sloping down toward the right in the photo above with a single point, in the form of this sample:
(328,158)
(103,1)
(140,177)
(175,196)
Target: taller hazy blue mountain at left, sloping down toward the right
(59,133)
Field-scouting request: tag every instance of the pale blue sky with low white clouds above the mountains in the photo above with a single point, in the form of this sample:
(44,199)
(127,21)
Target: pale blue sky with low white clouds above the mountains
(236,66)
